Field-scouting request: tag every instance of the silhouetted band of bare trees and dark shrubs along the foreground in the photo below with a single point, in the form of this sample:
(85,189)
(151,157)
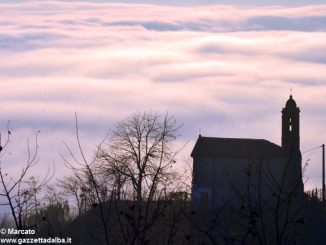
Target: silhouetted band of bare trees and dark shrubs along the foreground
(132,192)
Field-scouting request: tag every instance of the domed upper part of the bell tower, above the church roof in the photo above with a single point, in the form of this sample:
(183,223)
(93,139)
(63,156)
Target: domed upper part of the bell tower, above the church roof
(291,126)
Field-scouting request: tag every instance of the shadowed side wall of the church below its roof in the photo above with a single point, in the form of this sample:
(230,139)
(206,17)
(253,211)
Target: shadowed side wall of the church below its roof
(232,180)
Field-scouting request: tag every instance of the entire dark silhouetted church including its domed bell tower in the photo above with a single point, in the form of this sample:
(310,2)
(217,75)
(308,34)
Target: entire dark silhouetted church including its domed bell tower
(235,171)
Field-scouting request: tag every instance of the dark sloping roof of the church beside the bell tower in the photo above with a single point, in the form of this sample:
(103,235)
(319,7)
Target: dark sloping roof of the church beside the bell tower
(235,147)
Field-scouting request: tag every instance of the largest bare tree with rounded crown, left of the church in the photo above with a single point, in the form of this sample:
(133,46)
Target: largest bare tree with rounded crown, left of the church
(139,152)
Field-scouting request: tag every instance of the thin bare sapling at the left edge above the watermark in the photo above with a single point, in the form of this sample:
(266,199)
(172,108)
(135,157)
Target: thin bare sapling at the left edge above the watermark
(20,193)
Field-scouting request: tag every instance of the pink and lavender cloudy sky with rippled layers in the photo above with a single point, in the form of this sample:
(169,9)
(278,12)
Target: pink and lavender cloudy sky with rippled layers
(222,68)
